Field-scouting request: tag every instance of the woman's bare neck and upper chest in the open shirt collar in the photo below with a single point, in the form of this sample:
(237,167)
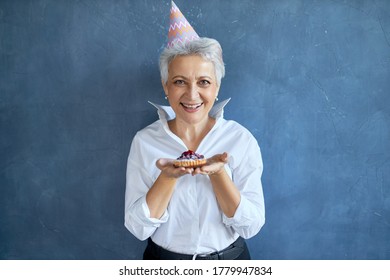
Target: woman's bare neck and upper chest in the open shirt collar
(191,134)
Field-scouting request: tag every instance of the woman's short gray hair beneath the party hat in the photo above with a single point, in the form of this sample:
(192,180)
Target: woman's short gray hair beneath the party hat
(208,49)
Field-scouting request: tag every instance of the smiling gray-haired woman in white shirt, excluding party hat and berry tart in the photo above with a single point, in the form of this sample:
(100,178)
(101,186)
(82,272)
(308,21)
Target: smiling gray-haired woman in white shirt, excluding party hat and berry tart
(204,212)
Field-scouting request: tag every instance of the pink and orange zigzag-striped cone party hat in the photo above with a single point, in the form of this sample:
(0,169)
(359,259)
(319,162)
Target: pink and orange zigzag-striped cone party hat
(180,30)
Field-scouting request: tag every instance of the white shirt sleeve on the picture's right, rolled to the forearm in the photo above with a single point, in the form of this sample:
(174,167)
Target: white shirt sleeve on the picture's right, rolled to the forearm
(250,214)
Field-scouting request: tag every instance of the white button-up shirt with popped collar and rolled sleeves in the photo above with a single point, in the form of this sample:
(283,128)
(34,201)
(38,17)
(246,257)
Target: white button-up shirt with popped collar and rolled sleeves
(193,223)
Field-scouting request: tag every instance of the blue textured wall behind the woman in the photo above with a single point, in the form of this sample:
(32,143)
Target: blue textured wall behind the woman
(310,79)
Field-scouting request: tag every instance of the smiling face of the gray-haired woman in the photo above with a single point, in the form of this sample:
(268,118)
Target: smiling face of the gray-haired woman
(191,88)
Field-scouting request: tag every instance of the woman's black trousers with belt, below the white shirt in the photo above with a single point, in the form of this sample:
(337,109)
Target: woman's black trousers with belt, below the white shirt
(238,250)
